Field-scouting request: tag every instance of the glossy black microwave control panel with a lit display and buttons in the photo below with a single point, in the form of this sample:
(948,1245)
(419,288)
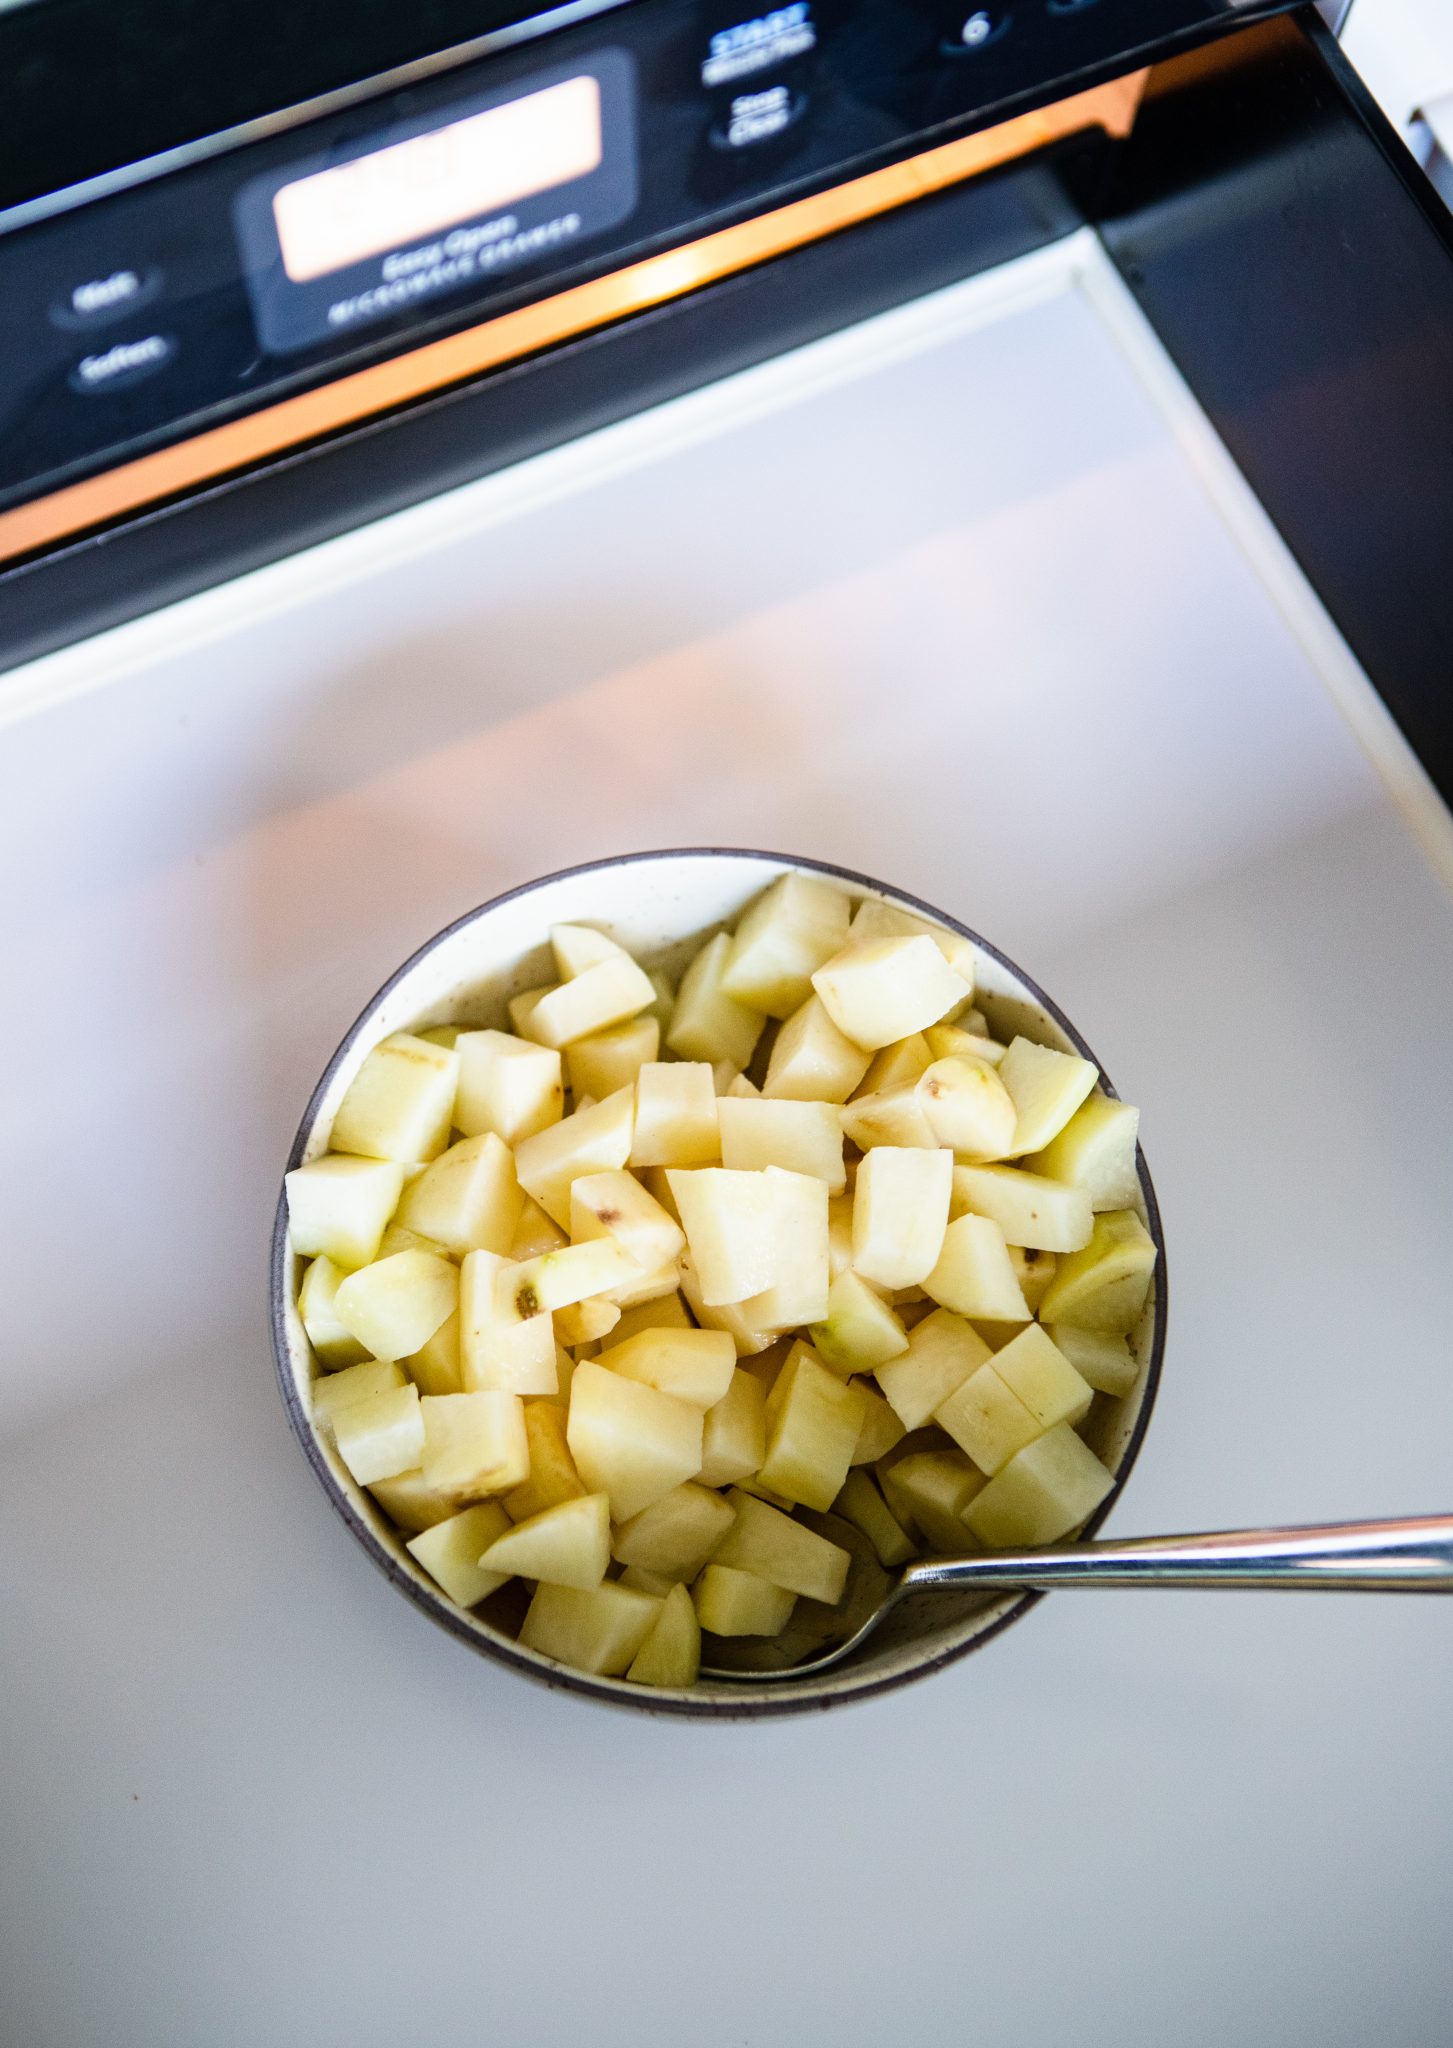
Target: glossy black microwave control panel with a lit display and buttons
(241,269)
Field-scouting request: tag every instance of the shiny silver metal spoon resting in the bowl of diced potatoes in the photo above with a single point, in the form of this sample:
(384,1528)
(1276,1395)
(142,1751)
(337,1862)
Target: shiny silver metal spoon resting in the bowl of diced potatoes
(1339,1558)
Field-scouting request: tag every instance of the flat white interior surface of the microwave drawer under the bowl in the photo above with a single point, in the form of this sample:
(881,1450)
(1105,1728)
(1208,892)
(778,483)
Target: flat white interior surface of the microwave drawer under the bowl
(968,599)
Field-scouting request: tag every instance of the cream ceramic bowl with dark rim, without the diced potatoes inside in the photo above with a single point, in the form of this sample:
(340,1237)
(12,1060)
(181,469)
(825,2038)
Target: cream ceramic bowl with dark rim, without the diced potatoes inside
(661,906)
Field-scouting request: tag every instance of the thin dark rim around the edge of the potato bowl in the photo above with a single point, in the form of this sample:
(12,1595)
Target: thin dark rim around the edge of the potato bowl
(708,1707)
